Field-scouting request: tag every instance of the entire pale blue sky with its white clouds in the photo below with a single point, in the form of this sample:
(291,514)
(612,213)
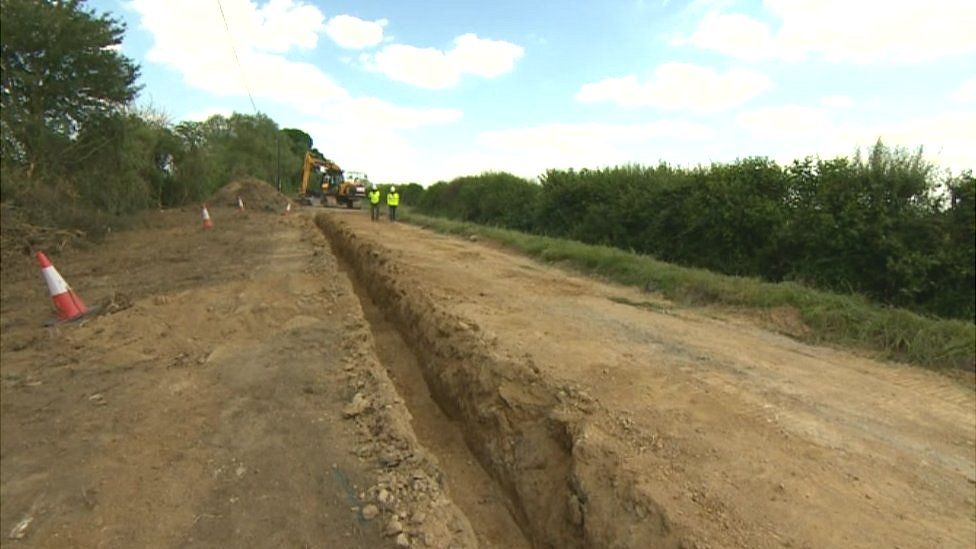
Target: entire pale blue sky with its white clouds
(425,91)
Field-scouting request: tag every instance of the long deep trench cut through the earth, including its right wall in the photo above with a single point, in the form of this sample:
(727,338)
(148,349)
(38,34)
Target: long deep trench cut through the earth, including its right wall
(551,471)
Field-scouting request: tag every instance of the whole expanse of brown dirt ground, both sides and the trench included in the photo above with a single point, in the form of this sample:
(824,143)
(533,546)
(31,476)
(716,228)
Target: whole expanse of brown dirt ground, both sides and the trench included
(264,385)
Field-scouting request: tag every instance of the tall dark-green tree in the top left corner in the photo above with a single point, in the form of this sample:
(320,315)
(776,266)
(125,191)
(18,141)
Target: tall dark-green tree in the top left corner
(60,70)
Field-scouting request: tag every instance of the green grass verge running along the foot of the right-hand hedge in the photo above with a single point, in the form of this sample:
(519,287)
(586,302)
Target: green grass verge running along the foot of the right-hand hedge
(843,320)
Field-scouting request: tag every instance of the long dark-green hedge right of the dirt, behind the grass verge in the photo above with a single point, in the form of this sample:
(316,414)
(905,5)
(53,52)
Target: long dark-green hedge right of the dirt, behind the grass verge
(885,224)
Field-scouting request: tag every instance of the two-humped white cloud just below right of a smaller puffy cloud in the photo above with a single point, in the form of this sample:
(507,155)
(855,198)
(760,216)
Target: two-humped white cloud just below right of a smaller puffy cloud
(432,68)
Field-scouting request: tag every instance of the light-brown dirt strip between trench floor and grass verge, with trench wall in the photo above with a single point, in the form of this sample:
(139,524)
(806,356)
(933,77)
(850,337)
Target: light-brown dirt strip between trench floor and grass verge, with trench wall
(613,418)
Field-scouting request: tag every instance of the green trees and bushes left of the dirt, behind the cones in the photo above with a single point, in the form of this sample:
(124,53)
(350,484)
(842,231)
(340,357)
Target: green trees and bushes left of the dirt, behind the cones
(76,151)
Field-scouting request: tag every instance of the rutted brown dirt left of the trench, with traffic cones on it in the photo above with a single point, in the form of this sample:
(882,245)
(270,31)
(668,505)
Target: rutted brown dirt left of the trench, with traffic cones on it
(230,397)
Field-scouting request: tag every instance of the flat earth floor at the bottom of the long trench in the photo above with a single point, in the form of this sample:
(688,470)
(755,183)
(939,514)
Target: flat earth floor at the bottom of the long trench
(466,482)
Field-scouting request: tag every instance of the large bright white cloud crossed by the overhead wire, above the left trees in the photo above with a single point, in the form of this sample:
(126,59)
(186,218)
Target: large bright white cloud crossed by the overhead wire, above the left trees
(360,132)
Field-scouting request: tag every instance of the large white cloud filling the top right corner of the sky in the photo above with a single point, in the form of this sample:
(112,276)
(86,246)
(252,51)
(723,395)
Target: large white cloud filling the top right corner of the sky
(842,31)
